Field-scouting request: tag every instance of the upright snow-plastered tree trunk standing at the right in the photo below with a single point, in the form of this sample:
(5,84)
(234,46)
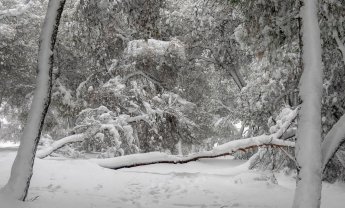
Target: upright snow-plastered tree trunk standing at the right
(308,145)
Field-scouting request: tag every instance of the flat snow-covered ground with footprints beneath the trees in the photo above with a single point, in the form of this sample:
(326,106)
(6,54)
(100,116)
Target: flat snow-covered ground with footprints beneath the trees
(218,183)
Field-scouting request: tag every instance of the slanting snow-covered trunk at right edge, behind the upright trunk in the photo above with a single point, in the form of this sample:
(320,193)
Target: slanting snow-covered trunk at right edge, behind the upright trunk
(332,141)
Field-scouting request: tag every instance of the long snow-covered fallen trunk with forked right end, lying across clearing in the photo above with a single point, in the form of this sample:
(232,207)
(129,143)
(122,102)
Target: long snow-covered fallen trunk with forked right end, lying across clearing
(222,150)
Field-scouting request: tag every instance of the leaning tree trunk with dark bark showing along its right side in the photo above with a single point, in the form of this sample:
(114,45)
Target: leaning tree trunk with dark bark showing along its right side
(22,168)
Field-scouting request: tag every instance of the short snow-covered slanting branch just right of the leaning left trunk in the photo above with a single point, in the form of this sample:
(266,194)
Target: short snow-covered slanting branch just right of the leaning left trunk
(60,143)
